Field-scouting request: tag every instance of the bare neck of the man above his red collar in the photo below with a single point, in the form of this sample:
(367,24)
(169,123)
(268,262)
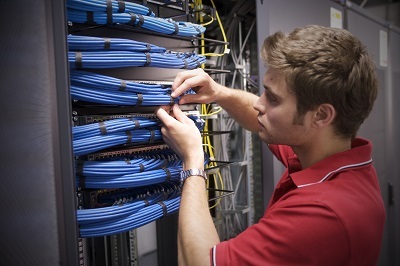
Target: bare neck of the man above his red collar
(319,149)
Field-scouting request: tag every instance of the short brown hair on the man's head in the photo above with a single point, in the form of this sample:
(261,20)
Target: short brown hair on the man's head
(326,65)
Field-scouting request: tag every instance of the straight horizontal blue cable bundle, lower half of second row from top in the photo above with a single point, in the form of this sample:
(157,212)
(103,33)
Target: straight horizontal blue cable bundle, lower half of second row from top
(117,59)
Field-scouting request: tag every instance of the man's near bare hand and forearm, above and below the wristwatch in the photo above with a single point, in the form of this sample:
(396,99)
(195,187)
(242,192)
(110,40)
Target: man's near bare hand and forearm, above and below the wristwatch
(196,231)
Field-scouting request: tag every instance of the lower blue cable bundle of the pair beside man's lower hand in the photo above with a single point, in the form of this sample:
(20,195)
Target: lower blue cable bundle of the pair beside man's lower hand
(96,143)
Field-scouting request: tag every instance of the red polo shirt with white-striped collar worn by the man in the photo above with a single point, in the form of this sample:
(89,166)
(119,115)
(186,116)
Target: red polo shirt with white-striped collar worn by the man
(331,213)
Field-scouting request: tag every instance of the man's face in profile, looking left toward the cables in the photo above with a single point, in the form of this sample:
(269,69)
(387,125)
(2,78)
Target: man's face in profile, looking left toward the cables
(277,113)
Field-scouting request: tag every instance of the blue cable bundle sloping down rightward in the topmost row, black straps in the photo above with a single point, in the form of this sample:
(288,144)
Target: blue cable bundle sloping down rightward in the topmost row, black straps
(160,25)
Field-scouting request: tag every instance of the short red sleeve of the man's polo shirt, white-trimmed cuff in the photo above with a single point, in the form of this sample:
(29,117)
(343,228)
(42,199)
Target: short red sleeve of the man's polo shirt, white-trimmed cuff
(299,234)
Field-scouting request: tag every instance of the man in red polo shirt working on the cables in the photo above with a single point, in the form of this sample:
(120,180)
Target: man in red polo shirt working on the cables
(327,208)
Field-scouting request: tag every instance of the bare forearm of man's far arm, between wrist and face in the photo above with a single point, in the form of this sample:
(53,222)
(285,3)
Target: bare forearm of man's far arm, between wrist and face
(239,105)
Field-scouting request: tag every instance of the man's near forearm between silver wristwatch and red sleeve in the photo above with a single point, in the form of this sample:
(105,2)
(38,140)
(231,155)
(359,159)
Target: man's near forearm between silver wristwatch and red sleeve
(196,231)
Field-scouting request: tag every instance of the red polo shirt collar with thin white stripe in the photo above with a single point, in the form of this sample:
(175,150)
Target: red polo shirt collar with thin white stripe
(359,155)
